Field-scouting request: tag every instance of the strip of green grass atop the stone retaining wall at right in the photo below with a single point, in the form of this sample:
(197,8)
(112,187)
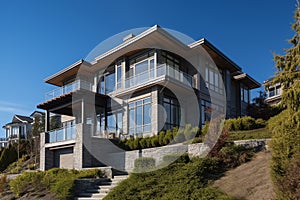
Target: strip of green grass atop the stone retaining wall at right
(261,133)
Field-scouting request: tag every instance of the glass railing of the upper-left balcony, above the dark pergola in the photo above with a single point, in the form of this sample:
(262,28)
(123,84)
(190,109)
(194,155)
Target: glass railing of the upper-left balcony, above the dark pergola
(76,85)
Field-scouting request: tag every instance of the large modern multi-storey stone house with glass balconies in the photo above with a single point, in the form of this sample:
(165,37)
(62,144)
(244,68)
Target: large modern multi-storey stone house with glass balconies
(128,92)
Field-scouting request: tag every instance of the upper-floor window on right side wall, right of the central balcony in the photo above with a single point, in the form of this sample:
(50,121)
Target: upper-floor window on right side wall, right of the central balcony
(213,80)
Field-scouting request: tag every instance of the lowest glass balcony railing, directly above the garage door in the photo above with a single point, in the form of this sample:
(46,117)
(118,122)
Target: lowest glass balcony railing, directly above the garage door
(62,134)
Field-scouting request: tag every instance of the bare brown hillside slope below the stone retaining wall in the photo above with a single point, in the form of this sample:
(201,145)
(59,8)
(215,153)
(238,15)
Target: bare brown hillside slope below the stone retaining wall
(250,181)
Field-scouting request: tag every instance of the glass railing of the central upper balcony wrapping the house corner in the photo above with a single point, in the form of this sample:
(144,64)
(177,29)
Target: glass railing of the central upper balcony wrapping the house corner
(161,70)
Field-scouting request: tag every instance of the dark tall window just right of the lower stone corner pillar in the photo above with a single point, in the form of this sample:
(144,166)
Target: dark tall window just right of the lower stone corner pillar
(172,109)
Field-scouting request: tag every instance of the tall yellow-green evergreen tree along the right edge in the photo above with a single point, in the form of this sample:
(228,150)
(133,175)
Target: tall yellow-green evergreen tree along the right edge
(286,140)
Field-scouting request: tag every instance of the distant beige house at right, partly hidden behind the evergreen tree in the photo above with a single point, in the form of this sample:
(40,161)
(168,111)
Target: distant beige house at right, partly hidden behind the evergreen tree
(273,92)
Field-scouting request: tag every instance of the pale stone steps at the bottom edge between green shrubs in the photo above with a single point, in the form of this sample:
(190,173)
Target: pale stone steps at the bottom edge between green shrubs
(98,192)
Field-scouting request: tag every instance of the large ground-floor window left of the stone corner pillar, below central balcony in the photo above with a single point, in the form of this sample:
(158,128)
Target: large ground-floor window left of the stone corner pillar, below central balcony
(140,117)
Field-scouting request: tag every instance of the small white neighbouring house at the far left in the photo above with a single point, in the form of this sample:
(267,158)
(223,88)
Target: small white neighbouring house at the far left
(18,128)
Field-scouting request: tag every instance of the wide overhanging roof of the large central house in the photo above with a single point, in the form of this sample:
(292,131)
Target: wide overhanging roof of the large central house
(150,38)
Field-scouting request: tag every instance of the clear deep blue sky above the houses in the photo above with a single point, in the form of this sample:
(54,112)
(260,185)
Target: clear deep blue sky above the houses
(39,38)
